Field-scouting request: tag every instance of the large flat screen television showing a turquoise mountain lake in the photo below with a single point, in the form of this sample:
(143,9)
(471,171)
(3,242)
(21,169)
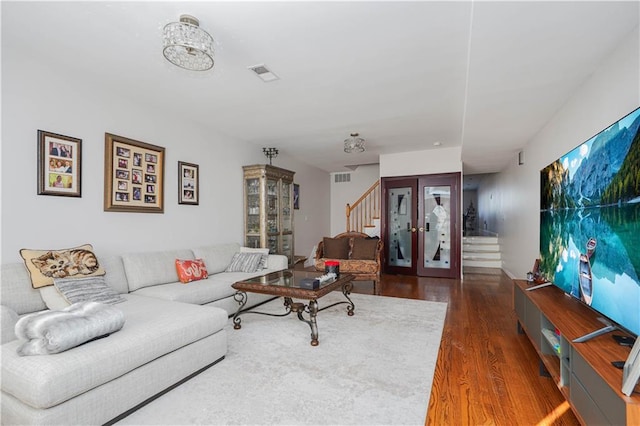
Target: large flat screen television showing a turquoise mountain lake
(590,222)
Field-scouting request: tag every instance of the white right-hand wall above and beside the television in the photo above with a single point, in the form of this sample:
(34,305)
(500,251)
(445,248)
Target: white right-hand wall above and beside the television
(611,93)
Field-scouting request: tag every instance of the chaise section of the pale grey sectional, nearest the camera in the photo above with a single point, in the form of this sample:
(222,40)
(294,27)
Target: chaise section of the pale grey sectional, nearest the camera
(45,389)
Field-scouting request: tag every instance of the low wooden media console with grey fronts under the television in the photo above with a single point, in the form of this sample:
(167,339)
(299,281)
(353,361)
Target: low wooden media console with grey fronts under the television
(582,371)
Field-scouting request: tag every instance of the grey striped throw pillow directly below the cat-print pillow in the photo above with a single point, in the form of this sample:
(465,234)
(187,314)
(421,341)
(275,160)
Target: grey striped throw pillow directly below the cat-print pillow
(90,289)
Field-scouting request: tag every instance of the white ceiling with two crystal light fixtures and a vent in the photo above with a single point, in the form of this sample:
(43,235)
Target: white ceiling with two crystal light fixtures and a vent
(486,76)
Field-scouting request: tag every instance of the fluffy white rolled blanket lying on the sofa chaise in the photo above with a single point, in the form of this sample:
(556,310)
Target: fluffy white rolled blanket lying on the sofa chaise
(51,332)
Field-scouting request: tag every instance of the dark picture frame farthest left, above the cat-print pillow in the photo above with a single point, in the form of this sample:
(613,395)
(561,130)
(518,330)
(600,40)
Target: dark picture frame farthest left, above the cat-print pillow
(59,165)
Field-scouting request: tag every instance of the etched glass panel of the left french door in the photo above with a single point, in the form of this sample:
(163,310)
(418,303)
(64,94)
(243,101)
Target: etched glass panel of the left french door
(400,208)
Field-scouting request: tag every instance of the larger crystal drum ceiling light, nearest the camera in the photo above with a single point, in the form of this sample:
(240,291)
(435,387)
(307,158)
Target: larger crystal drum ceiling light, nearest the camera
(187,45)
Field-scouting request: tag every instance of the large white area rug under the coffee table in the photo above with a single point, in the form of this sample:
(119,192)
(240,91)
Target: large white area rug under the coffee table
(375,367)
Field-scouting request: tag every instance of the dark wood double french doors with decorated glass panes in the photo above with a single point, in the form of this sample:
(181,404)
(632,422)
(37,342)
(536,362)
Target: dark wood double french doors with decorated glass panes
(421,225)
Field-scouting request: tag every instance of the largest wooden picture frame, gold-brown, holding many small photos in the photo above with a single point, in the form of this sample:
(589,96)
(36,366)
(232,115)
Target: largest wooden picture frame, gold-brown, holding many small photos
(133,176)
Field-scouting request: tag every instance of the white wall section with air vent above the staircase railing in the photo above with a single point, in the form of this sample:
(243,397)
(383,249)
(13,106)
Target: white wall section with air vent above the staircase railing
(348,192)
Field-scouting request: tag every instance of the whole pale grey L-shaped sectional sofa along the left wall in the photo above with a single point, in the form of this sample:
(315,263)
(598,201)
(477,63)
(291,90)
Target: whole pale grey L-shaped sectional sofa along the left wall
(171,332)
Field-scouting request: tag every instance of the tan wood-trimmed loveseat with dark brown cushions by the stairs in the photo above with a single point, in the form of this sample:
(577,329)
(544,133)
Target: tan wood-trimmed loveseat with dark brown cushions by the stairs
(358,254)
